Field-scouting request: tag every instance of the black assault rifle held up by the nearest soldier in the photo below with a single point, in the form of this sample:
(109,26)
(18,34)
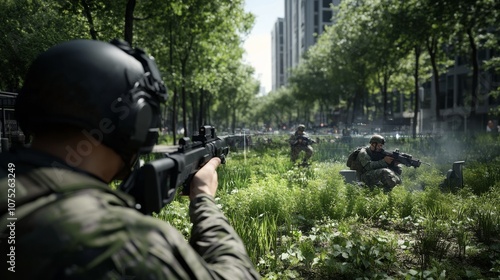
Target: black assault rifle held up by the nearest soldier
(155,184)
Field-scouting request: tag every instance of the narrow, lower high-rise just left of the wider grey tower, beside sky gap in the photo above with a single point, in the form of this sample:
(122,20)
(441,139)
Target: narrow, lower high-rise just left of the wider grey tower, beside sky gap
(277,54)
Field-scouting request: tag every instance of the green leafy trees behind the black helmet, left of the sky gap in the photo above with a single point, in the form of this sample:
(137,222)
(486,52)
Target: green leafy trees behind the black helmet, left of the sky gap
(196,43)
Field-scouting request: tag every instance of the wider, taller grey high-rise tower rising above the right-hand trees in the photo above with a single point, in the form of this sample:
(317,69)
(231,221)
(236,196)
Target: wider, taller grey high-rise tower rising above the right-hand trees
(305,20)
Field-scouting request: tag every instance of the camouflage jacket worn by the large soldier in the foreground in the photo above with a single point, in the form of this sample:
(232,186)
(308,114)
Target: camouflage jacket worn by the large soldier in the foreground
(81,229)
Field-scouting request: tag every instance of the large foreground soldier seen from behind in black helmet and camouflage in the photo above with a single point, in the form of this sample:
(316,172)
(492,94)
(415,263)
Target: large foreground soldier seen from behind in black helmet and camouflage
(92,107)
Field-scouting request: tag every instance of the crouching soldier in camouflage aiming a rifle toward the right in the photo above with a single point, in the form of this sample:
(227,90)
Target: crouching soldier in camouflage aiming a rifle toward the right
(376,167)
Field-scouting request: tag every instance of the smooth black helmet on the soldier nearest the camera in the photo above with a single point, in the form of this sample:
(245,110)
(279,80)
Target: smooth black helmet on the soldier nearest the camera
(111,90)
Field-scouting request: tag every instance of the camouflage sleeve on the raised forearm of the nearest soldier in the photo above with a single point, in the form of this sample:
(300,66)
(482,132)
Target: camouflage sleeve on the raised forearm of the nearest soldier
(217,242)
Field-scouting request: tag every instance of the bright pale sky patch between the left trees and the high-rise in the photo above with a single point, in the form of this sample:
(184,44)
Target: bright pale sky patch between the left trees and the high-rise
(258,43)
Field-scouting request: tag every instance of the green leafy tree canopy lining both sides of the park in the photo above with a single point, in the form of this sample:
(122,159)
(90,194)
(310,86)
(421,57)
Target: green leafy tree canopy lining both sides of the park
(372,50)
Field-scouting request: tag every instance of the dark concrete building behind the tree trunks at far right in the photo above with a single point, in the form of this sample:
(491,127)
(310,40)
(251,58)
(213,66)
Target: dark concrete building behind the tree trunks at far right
(455,88)
